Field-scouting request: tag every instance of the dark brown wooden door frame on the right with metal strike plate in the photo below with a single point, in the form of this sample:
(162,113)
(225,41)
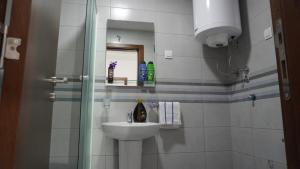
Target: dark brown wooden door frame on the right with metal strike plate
(286,16)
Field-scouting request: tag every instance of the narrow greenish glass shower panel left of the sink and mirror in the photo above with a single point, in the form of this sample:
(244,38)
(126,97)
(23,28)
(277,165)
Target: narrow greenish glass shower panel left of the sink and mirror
(87,87)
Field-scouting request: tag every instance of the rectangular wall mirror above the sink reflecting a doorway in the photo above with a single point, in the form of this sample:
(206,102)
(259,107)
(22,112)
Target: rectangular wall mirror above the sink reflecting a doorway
(130,54)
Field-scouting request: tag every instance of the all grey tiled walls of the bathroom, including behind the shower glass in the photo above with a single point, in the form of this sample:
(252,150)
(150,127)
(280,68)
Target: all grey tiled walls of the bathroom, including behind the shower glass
(221,127)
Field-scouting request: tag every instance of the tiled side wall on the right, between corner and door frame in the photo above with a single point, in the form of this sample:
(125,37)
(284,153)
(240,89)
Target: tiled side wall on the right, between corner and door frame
(256,128)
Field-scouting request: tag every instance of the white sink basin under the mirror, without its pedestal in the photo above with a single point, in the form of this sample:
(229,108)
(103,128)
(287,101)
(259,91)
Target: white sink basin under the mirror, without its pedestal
(130,131)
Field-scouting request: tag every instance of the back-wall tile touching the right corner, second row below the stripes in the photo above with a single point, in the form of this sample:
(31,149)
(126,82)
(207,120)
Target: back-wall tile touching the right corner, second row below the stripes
(217,139)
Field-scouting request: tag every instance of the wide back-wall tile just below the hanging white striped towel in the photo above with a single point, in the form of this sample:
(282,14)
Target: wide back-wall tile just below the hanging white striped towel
(180,140)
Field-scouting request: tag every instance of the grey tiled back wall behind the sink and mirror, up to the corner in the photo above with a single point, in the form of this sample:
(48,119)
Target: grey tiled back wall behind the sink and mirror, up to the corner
(205,135)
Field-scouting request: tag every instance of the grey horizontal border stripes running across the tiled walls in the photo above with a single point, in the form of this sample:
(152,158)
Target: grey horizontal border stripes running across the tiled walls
(205,91)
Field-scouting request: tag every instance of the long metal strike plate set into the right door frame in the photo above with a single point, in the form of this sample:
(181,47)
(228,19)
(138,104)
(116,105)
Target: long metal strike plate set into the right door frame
(280,48)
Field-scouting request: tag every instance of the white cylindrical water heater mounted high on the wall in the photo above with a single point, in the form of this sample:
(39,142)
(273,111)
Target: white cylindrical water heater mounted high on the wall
(217,21)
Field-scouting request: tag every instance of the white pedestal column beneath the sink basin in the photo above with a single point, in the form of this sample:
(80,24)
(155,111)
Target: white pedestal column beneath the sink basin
(130,154)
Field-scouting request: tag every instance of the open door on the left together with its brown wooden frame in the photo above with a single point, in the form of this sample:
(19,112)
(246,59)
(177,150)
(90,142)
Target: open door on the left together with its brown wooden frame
(25,109)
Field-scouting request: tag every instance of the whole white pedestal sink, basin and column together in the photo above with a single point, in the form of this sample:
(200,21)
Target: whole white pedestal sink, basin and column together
(130,136)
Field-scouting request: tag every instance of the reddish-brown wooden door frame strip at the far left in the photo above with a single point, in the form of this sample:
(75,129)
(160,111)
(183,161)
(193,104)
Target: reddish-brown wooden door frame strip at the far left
(12,85)
